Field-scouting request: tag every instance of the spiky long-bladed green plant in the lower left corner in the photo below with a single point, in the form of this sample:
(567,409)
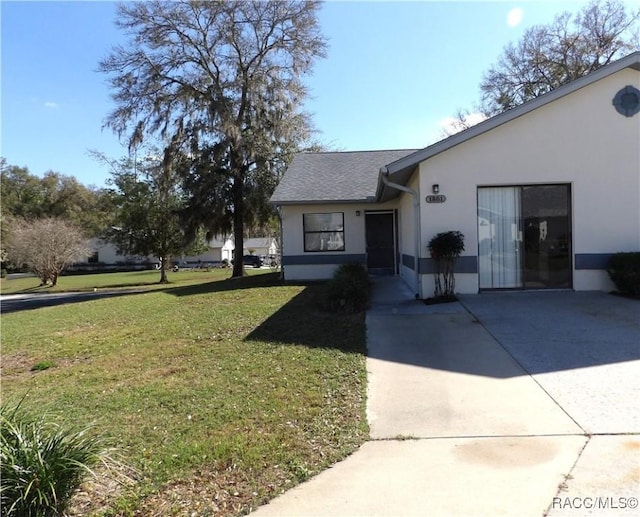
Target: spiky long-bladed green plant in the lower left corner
(41,464)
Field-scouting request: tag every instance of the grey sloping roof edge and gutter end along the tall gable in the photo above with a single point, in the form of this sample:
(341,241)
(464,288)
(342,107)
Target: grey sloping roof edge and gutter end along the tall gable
(400,171)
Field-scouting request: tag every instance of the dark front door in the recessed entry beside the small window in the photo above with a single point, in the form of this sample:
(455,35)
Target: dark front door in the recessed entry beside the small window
(380,237)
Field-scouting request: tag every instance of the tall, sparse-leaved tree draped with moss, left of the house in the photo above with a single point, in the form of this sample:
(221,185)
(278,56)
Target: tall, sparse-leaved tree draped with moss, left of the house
(222,79)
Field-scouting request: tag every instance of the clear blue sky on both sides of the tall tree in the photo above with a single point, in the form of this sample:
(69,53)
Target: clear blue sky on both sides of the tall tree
(395,71)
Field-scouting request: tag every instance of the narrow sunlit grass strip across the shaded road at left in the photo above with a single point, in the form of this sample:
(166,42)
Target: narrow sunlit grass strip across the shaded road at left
(128,279)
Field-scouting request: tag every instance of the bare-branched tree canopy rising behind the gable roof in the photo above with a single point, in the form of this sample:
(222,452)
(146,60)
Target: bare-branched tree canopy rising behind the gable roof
(548,56)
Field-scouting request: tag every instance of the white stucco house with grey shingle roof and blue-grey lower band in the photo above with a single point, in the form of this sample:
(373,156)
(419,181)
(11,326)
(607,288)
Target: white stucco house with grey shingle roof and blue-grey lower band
(544,194)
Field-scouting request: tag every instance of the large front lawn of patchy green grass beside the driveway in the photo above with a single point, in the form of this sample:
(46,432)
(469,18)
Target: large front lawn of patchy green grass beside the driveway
(219,394)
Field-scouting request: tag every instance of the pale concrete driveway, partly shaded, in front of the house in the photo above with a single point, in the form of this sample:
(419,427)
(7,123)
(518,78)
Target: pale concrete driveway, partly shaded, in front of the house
(501,404)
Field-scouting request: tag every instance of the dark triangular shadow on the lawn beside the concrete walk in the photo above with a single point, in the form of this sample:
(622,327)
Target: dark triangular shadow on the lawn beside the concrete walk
(304,321)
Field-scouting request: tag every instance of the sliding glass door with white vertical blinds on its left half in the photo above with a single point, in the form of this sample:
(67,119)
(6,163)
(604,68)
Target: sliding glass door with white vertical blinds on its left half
(524,237)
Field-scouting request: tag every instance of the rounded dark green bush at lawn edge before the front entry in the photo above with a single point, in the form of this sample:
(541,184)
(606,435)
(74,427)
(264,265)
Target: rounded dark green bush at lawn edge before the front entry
(348,290)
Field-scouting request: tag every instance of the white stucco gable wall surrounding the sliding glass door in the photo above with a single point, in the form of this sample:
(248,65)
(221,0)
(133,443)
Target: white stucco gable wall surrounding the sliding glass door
(580,140)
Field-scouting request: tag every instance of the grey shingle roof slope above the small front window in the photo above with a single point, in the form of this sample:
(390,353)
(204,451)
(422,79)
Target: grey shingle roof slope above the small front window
(343,177)
